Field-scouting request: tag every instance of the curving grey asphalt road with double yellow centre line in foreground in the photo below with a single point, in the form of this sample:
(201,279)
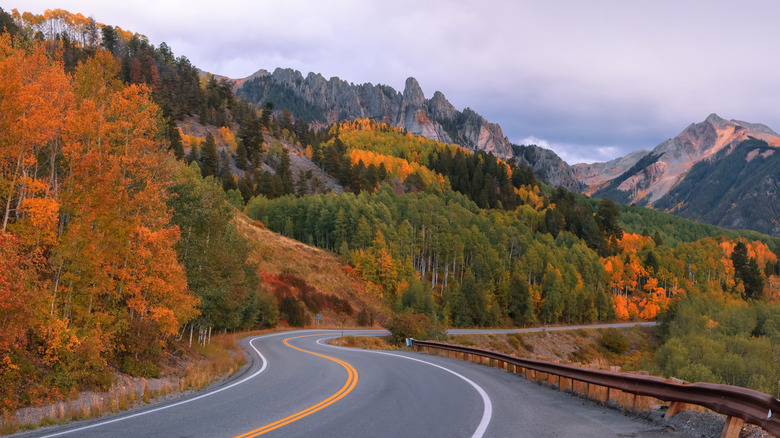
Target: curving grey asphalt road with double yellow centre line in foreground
(295,385)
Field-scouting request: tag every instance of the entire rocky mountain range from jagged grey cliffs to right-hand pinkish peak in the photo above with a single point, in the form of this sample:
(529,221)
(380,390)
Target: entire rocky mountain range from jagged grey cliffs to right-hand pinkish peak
(666,178)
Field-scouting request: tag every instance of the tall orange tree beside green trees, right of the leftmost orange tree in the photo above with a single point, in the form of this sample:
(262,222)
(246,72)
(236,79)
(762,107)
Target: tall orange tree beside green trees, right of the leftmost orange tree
(121,271)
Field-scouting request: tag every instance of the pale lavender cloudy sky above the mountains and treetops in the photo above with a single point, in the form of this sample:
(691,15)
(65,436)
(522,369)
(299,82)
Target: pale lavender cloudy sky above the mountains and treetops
(592,80)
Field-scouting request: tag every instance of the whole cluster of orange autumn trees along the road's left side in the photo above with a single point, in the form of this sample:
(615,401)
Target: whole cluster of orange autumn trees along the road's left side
(88,272)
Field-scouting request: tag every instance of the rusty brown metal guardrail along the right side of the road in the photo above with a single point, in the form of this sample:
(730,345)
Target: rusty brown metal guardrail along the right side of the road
(752,406)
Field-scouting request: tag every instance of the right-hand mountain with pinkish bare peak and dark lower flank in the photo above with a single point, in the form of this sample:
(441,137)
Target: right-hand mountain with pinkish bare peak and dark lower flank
(724,172)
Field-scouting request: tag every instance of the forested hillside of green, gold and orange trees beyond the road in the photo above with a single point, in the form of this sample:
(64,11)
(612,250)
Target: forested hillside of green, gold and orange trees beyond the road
(512,257)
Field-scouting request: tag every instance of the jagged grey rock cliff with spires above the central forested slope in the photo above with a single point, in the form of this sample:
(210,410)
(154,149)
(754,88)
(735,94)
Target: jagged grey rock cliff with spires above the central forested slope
(322,101)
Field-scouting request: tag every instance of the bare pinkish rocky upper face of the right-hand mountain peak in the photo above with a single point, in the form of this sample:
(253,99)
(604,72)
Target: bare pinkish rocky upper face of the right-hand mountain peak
(653,175)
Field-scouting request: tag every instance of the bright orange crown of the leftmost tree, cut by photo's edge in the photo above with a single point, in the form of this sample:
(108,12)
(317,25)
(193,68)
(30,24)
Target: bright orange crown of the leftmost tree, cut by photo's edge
(35,94)
